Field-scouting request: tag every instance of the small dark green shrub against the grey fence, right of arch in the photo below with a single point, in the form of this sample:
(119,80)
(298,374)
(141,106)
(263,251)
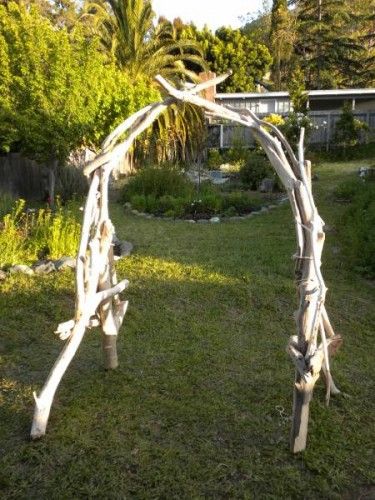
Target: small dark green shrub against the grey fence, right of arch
(348,130)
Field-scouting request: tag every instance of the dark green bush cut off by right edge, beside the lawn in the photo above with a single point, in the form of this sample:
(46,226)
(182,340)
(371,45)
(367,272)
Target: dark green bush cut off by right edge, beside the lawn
(356,226)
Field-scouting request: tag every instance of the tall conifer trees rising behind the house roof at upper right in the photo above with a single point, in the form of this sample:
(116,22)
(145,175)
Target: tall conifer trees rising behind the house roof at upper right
(330,41)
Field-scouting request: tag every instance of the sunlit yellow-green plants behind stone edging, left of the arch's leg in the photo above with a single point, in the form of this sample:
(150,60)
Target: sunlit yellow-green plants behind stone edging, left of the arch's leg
(27,236)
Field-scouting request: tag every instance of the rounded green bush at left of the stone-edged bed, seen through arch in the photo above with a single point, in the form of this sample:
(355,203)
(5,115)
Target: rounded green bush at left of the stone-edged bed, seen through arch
(158,182)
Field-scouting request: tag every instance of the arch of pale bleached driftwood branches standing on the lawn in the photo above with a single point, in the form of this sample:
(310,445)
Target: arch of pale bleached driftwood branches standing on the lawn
(97,289)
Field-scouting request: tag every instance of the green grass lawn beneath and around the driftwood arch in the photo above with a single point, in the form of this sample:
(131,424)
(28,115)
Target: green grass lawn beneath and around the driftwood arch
(200,406)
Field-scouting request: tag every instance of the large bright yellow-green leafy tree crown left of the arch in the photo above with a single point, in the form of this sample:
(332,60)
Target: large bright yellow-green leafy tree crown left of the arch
(59,91)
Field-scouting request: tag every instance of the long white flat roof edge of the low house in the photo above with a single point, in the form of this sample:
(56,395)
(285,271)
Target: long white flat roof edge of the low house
(324,94)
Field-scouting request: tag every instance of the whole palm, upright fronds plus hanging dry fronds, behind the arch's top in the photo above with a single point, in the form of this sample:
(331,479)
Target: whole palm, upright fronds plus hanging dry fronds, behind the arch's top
(143,49)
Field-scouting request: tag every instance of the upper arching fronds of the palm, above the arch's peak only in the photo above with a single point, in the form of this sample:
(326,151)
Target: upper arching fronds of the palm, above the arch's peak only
(127,31)
